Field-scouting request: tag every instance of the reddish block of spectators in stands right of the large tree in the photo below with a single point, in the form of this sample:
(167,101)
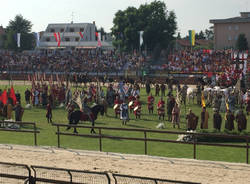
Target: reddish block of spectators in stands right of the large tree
(198,61)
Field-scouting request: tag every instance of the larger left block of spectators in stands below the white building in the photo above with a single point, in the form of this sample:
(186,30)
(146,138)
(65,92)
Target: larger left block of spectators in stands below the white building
(71,61)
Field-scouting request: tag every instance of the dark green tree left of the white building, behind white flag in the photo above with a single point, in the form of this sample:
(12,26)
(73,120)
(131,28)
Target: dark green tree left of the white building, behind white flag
(23,26)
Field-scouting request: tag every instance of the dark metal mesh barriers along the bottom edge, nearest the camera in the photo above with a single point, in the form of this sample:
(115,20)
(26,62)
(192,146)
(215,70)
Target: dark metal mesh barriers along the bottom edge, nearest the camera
(19,173)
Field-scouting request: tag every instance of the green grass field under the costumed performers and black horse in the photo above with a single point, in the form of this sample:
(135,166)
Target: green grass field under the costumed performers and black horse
(47,136)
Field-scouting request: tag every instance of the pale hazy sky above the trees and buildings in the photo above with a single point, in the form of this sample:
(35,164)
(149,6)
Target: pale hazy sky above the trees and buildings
(191,14)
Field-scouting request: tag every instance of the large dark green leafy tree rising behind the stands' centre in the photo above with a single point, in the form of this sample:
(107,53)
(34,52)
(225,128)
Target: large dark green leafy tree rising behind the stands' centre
(158,24)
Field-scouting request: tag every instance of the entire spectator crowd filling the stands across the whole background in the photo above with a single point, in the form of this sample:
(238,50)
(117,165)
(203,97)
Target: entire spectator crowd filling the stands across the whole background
(184,61)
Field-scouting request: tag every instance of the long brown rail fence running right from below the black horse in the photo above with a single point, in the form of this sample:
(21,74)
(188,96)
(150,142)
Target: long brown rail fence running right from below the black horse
(145,139)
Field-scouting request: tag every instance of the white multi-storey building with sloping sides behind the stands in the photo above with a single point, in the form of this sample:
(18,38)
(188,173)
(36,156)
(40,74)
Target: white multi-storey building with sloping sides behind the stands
(71,35)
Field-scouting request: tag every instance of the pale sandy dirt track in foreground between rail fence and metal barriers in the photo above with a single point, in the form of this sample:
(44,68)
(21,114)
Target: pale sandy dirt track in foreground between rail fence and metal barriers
(137,165)
